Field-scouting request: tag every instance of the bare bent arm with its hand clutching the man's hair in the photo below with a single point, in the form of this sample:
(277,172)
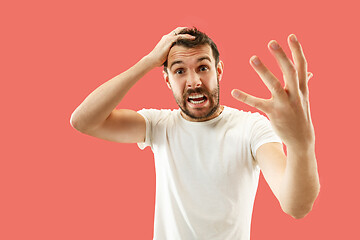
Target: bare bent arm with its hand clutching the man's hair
(97,116)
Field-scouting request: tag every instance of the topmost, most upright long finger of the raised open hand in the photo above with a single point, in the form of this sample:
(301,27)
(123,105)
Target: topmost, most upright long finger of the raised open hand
(299,60)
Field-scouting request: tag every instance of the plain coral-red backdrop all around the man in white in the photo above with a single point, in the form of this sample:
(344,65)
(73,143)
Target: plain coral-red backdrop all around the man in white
(56,183)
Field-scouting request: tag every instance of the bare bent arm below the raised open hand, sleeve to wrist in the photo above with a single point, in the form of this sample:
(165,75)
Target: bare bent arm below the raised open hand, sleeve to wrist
(293,179)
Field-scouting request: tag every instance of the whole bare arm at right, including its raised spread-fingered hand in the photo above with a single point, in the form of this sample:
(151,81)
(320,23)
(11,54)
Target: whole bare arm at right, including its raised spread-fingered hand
(293,179)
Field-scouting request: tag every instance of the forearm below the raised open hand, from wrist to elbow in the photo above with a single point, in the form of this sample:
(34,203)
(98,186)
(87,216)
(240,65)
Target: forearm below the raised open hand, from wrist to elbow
(300,184)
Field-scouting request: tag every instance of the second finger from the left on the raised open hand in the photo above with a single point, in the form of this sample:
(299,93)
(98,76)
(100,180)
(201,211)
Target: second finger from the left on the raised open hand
(271,82)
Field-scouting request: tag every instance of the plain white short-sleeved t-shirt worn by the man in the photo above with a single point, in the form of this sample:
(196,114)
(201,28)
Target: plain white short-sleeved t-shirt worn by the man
(206,174)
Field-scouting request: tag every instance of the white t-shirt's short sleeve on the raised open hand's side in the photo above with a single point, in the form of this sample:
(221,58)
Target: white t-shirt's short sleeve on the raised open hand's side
(261,133)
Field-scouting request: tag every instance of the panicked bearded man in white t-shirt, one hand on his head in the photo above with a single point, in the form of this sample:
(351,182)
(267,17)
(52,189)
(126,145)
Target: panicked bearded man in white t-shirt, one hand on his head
(208,156)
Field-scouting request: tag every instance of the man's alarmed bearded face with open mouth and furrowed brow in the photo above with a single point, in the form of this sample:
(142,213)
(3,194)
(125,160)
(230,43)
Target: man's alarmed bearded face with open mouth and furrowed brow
(194,81)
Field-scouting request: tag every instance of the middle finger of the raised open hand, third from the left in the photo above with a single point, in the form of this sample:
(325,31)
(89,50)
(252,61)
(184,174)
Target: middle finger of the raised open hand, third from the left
(286,66)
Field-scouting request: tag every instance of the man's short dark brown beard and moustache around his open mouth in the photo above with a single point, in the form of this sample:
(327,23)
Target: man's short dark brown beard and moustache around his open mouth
(212,97)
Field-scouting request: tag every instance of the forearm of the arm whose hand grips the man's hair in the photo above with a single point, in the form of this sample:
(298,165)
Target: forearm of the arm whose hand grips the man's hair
(103,100)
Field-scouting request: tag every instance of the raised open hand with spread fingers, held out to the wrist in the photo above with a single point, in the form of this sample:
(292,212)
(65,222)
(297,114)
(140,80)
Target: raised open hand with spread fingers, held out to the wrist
(288,109)
